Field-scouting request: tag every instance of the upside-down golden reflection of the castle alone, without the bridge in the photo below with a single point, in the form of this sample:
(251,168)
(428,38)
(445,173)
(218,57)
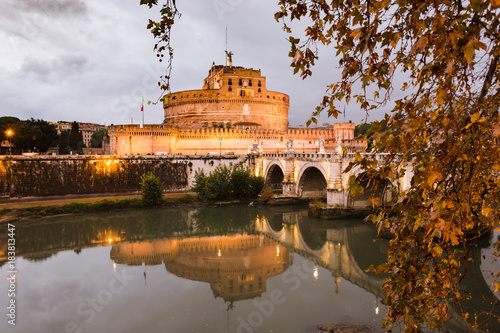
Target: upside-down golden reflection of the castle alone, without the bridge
(236,266)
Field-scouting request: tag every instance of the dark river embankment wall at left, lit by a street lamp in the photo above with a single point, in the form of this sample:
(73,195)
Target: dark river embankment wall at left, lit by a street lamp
(58,175)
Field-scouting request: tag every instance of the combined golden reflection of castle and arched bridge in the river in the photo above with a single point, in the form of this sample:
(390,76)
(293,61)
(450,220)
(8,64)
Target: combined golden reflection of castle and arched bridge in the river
(237,266)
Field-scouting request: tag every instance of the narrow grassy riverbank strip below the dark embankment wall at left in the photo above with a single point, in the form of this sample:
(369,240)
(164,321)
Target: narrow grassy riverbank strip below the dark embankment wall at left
(39,207)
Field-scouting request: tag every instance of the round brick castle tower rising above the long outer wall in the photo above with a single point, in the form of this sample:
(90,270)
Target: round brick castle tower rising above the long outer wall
(230,97)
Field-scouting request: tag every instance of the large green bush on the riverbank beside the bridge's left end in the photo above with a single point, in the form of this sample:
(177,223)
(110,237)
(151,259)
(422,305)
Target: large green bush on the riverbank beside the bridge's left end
(225,183)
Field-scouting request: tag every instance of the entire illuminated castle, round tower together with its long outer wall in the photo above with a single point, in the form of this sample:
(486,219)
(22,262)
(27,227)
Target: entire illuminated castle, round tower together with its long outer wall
(233,113)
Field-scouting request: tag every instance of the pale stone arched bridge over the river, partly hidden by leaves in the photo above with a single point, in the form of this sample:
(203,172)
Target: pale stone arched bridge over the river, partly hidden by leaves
(320,175)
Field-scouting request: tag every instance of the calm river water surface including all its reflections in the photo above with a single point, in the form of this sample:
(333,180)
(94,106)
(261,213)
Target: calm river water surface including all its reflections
(229,269)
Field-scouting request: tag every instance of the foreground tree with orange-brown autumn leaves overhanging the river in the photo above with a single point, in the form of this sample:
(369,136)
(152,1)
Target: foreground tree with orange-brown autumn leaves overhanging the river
(444,56)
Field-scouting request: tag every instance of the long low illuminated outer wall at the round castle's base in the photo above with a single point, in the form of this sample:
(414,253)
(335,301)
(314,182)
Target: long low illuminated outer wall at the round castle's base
(158,139)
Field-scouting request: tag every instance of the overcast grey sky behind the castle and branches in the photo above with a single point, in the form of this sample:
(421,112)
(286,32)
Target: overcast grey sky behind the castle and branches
(93,60)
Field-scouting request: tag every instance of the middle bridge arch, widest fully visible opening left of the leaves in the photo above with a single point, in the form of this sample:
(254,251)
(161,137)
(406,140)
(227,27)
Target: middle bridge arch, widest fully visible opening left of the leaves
(312,181)
